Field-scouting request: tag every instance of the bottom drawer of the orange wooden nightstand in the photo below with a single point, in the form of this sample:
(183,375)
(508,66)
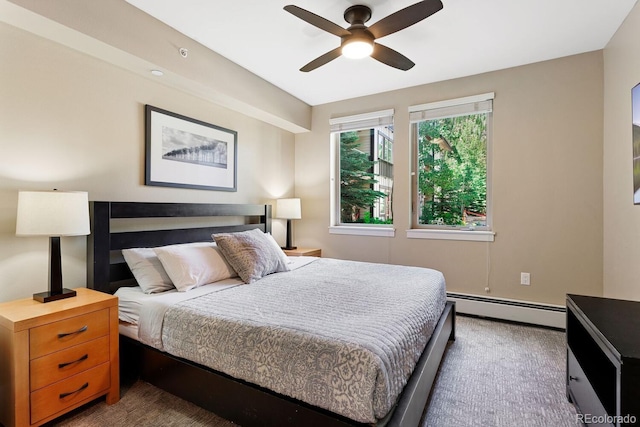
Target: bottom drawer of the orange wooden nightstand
(59,396)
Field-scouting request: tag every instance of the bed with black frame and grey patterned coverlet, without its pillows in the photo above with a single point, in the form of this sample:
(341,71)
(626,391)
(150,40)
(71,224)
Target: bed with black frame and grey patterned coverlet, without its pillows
(276,387)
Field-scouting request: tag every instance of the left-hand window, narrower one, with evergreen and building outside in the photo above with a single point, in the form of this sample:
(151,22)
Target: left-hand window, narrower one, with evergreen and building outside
(362,169)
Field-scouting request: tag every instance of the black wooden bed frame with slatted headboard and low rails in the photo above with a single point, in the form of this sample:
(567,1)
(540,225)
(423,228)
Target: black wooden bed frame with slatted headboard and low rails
(241,402)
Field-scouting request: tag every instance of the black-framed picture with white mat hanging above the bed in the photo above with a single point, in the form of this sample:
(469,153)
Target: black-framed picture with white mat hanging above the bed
(188,153)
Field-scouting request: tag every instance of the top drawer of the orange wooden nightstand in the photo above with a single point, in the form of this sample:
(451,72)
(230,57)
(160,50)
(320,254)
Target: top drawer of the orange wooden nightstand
(67,333)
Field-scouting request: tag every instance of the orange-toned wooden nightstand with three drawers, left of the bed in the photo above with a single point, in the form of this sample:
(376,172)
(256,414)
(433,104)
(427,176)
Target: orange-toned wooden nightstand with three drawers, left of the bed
(57,356)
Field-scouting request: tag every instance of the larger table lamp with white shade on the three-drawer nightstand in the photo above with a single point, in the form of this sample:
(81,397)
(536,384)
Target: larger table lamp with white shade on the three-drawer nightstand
(53,214)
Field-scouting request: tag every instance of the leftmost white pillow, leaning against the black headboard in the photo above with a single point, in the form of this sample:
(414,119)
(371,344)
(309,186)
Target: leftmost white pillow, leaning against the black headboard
(147,269)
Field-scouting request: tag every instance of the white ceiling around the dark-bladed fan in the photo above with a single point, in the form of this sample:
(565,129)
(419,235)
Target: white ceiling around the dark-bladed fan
(466,37)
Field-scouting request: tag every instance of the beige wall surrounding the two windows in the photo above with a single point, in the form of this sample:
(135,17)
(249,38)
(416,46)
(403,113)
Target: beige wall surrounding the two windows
(546,181)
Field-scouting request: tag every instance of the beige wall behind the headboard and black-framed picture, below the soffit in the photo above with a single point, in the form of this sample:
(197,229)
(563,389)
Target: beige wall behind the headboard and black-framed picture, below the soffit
(70,121)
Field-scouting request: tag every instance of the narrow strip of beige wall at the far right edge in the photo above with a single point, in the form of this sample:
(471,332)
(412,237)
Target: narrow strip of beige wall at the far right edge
(621,217)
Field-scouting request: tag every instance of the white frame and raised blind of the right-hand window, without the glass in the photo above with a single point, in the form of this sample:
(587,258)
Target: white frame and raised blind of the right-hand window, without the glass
(468,105)
